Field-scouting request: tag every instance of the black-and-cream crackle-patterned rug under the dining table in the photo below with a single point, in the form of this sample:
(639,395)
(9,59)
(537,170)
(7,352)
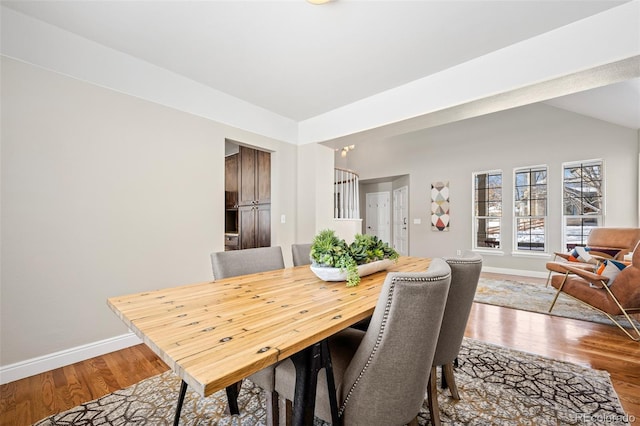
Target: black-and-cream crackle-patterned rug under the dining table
(498,386)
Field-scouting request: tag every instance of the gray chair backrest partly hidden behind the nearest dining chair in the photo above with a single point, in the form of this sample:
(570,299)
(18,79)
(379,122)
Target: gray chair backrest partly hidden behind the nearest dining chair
(465,273)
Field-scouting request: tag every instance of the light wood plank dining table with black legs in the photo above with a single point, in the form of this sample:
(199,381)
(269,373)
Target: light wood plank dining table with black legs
(214,334)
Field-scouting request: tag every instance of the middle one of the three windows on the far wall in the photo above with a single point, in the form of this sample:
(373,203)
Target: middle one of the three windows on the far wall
(530,208)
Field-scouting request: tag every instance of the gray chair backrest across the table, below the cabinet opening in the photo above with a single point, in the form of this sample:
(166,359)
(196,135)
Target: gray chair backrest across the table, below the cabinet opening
(232,263)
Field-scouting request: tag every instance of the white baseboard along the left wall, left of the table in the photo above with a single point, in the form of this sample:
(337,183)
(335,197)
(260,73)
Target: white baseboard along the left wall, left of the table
(27,368)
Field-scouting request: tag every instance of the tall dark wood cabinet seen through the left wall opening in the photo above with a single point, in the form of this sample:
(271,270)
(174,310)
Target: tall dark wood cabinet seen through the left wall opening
(249,196)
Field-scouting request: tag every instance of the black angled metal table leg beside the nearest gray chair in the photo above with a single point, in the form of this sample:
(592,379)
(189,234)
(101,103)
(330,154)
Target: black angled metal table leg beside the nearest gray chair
(308,363)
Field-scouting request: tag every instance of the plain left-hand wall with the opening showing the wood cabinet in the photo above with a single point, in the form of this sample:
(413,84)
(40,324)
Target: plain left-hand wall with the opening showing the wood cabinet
(104,194)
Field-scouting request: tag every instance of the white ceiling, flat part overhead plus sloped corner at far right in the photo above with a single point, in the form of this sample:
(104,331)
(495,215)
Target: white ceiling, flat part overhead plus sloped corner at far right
(301,60)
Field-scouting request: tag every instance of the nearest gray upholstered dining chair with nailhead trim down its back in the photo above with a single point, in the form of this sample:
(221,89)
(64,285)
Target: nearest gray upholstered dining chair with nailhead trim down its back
(381,375)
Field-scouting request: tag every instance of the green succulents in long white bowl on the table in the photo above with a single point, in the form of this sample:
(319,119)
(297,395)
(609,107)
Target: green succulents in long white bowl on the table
(335,260)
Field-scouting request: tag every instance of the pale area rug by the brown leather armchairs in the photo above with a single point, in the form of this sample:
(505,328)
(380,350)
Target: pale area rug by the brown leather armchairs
(537,298)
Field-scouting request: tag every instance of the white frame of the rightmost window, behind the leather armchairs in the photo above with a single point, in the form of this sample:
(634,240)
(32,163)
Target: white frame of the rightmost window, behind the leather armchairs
(600,218)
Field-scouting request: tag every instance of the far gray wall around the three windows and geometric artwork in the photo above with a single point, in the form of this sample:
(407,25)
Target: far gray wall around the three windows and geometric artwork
(526,136)
